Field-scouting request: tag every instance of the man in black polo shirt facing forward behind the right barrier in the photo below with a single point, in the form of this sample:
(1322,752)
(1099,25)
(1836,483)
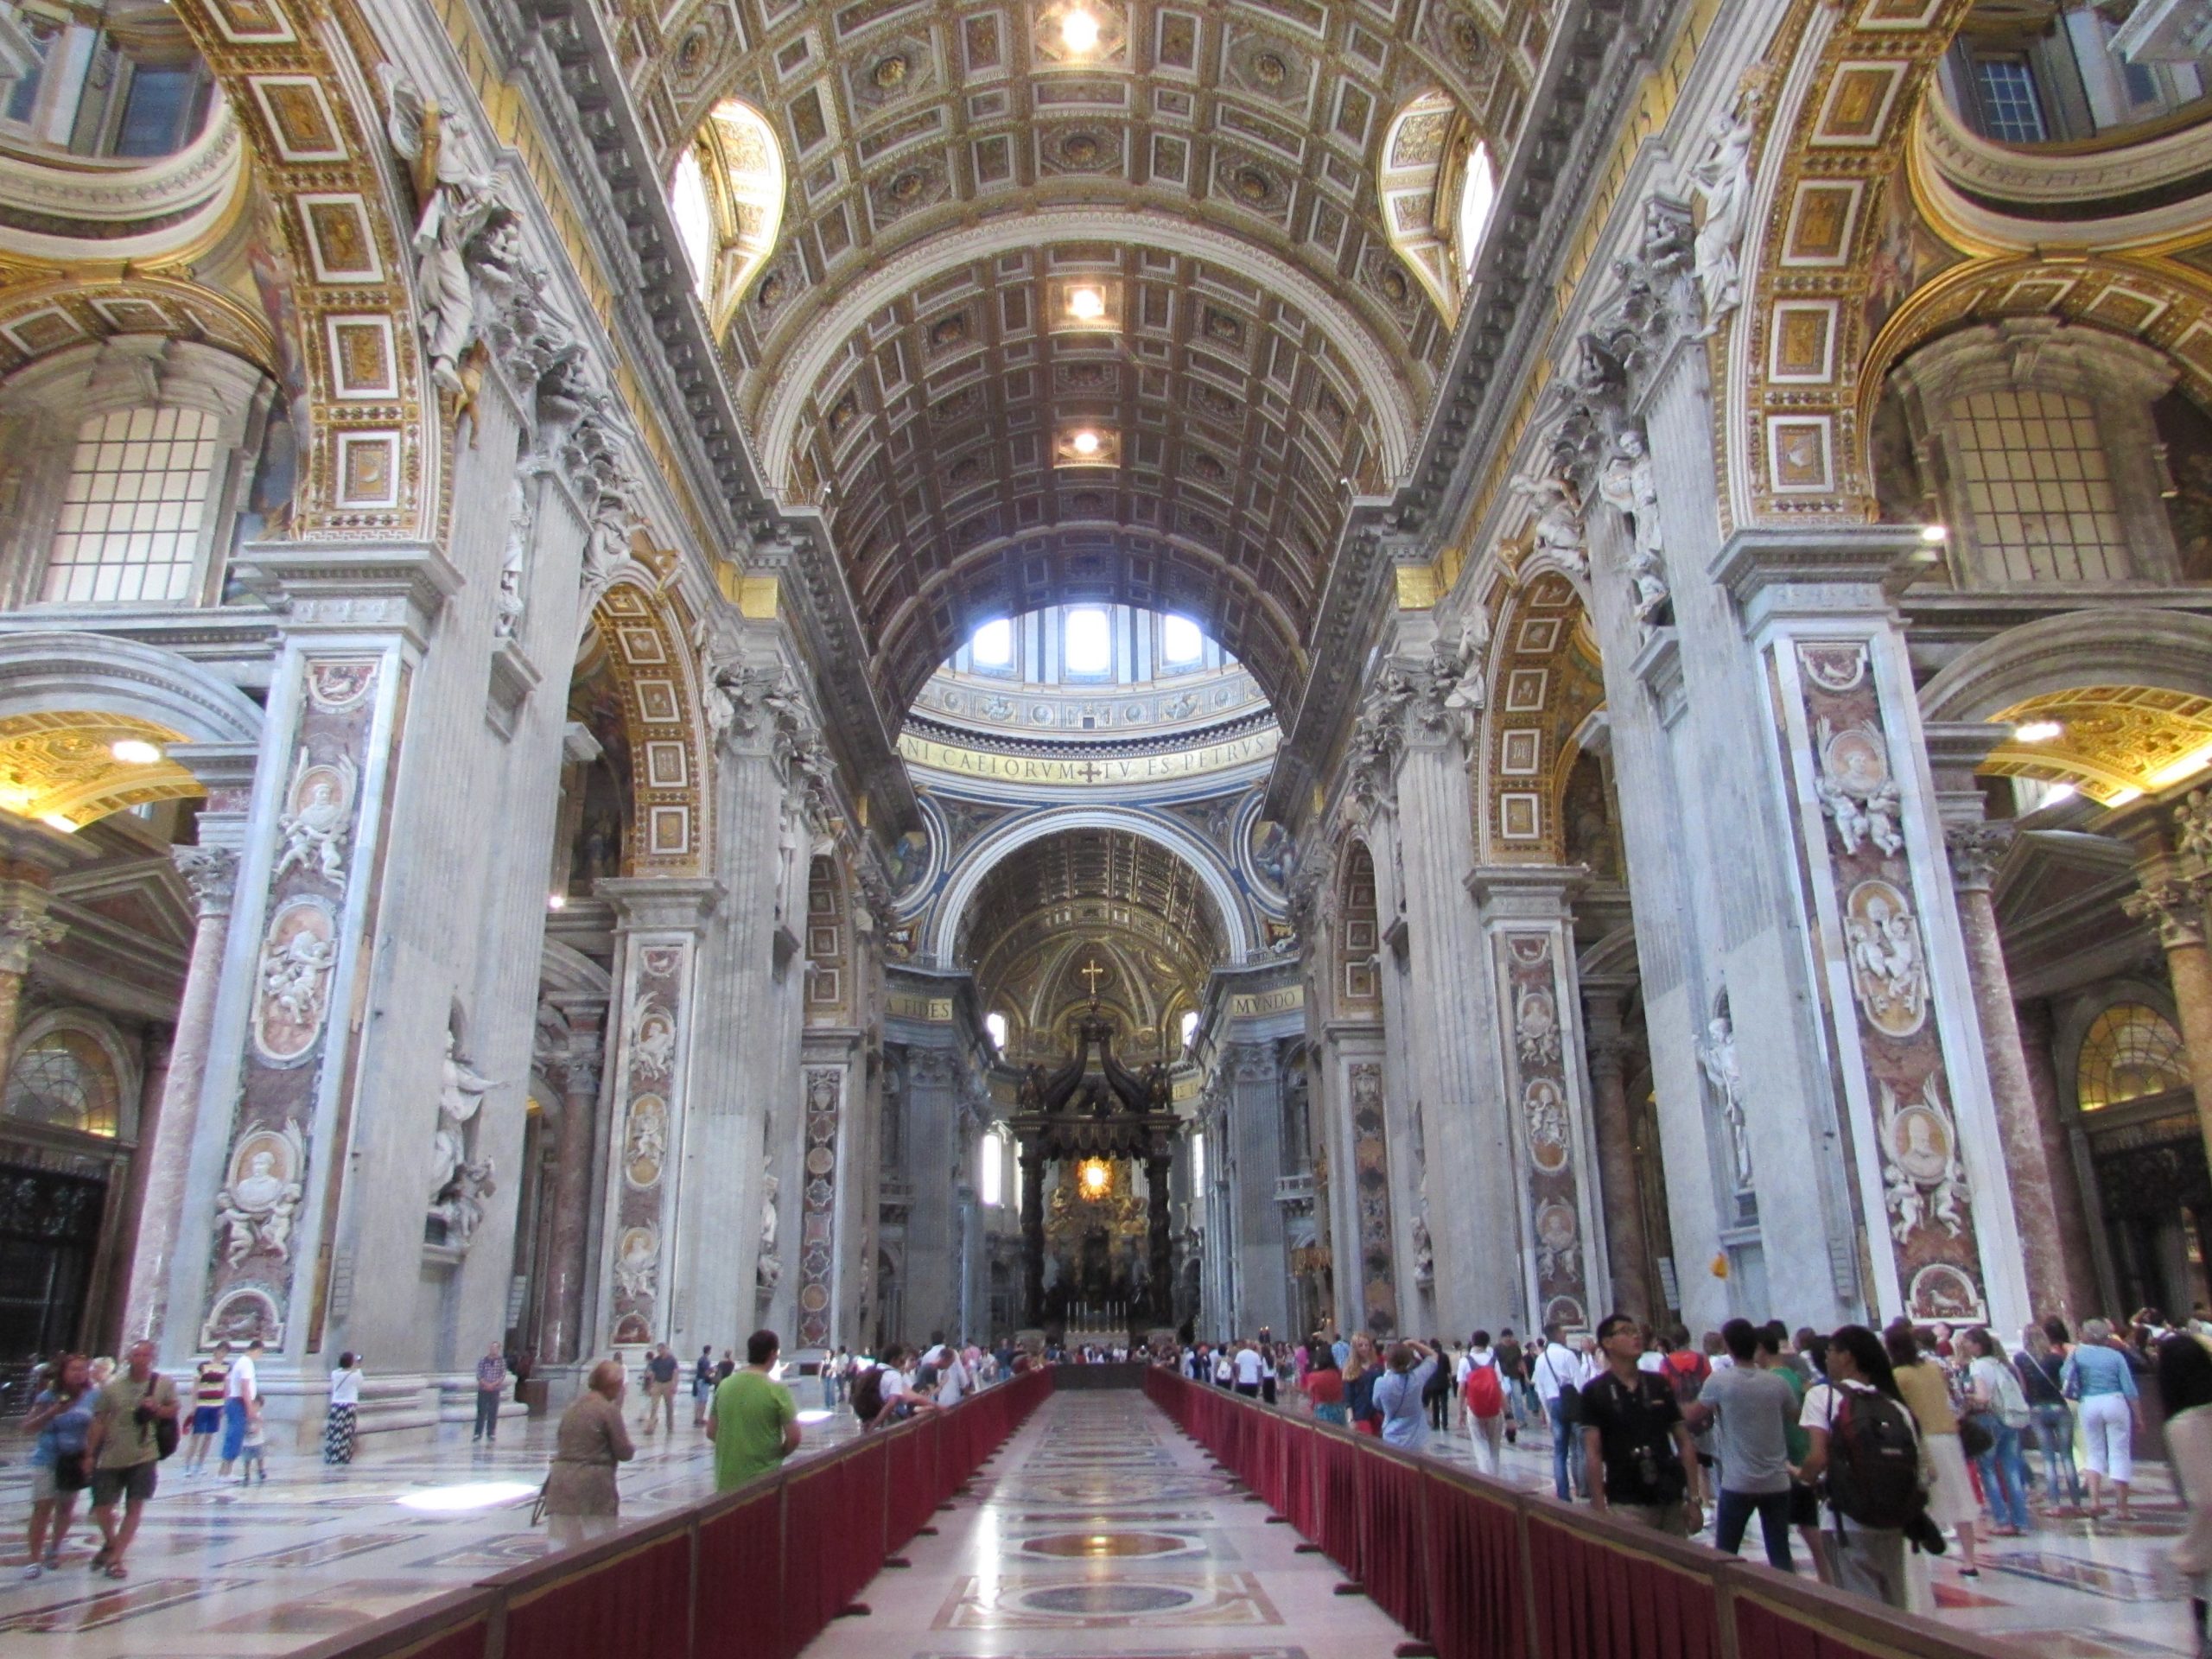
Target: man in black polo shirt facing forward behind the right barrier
(1636,1437)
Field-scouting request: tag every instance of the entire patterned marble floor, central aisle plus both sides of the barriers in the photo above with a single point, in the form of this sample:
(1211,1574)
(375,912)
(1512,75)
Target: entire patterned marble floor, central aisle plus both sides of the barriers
(1096,1532)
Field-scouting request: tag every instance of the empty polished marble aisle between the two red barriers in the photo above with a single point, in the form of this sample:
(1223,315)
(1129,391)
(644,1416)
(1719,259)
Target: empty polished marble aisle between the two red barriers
(1103,1532)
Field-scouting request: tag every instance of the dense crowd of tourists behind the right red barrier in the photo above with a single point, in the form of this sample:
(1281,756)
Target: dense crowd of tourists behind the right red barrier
(1850,1450)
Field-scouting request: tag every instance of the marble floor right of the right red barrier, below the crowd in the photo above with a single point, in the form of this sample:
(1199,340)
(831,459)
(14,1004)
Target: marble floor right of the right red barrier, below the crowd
(2085,1589)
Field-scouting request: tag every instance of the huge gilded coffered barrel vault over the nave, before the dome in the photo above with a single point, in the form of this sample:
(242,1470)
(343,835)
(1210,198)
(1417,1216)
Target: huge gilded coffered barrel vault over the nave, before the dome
(908,357)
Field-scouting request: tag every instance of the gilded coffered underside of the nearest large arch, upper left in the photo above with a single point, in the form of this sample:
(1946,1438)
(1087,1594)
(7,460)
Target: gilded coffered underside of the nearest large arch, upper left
(302,90)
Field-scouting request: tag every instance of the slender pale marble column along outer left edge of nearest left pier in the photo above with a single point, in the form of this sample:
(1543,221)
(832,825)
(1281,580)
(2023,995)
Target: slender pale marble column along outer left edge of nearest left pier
(167,1147)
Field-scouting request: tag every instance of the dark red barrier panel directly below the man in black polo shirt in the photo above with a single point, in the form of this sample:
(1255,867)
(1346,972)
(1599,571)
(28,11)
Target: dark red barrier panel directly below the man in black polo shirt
(1607,1603)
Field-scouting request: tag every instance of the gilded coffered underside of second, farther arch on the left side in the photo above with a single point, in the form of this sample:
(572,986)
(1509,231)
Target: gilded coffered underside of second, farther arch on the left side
(649,660)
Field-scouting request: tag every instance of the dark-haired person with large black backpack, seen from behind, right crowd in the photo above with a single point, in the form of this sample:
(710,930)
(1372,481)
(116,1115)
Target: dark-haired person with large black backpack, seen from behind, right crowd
(1868,1454)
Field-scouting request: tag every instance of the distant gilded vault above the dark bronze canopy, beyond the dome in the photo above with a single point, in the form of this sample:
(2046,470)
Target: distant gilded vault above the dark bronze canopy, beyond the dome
(1087,897)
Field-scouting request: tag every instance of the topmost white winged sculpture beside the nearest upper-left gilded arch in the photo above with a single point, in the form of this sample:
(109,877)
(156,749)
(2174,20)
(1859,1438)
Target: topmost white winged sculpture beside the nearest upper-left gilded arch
(457,207)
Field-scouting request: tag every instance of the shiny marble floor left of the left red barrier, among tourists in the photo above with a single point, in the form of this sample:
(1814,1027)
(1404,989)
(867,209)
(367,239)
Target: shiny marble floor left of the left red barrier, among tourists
(236,1572)
